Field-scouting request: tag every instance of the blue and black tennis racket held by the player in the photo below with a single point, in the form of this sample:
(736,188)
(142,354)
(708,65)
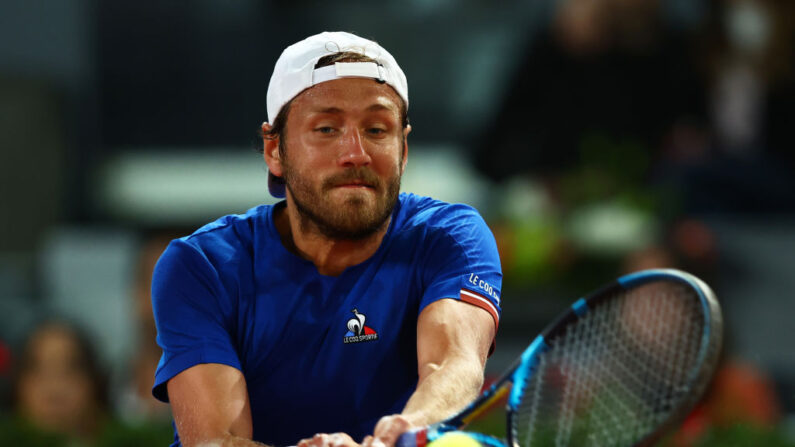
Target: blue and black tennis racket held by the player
(619,368)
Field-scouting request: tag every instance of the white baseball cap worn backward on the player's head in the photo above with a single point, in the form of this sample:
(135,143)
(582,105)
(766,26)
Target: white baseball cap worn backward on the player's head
(295,72)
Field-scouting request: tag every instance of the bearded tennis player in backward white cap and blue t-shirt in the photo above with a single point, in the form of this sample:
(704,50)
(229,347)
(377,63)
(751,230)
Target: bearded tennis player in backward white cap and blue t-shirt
(347,309)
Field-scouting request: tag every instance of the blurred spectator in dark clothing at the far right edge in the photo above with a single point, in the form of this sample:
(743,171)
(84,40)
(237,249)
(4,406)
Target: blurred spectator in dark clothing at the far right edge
(740,159)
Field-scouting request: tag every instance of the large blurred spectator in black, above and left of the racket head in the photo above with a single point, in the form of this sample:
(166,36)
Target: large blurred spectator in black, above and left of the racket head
(605,73)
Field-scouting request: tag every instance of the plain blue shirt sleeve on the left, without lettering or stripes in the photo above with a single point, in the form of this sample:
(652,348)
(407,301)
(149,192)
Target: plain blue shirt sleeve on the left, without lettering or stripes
(192,314)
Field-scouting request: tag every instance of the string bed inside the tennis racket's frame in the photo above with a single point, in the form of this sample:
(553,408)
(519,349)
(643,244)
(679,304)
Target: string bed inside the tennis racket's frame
(615,374)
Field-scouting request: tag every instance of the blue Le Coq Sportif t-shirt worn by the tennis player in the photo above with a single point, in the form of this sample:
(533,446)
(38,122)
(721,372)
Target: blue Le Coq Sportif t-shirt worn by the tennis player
(319,353)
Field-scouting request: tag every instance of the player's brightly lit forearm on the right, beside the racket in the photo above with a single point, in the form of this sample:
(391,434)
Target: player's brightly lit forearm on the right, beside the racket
(444,389)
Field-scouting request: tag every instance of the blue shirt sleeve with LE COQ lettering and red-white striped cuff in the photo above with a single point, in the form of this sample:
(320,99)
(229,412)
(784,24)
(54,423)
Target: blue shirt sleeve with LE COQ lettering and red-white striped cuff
(462,262)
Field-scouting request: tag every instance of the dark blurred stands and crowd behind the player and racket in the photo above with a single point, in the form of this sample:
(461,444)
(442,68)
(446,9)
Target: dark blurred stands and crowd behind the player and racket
(596,137)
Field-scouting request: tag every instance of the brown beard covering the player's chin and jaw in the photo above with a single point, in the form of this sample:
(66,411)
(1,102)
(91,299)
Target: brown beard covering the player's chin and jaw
(353,221)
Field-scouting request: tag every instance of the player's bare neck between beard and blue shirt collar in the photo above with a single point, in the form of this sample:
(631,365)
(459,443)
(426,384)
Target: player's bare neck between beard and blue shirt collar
(330,256)
